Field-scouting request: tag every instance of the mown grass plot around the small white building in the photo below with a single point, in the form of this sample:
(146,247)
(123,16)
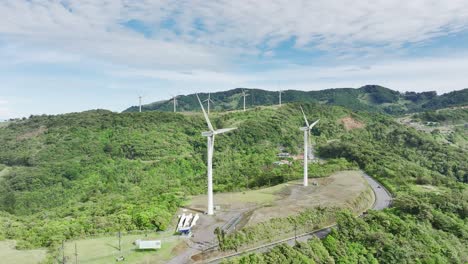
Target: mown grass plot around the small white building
(105,249)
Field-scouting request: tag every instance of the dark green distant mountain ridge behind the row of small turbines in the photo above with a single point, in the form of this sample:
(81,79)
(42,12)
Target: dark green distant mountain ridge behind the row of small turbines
(373,98)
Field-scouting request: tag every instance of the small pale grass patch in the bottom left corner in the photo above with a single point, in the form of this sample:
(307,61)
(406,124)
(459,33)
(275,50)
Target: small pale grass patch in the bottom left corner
(8,254)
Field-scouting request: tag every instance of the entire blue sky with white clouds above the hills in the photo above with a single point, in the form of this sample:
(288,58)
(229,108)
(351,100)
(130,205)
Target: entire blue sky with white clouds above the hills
(65,56)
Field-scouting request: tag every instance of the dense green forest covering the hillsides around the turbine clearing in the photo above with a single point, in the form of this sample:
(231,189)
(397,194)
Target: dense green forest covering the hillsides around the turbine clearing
(85,173)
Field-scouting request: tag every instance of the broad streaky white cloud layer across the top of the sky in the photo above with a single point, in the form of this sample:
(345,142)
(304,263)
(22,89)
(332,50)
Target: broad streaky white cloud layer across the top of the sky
(203,33)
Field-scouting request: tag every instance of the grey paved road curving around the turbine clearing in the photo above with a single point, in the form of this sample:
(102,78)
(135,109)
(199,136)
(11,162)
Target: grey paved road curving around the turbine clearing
(383,199)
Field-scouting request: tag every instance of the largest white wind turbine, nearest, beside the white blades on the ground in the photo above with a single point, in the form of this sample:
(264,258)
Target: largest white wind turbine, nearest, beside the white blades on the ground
(211,136)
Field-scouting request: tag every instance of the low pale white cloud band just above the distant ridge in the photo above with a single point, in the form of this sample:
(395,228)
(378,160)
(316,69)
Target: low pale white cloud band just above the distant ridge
(442,75)
